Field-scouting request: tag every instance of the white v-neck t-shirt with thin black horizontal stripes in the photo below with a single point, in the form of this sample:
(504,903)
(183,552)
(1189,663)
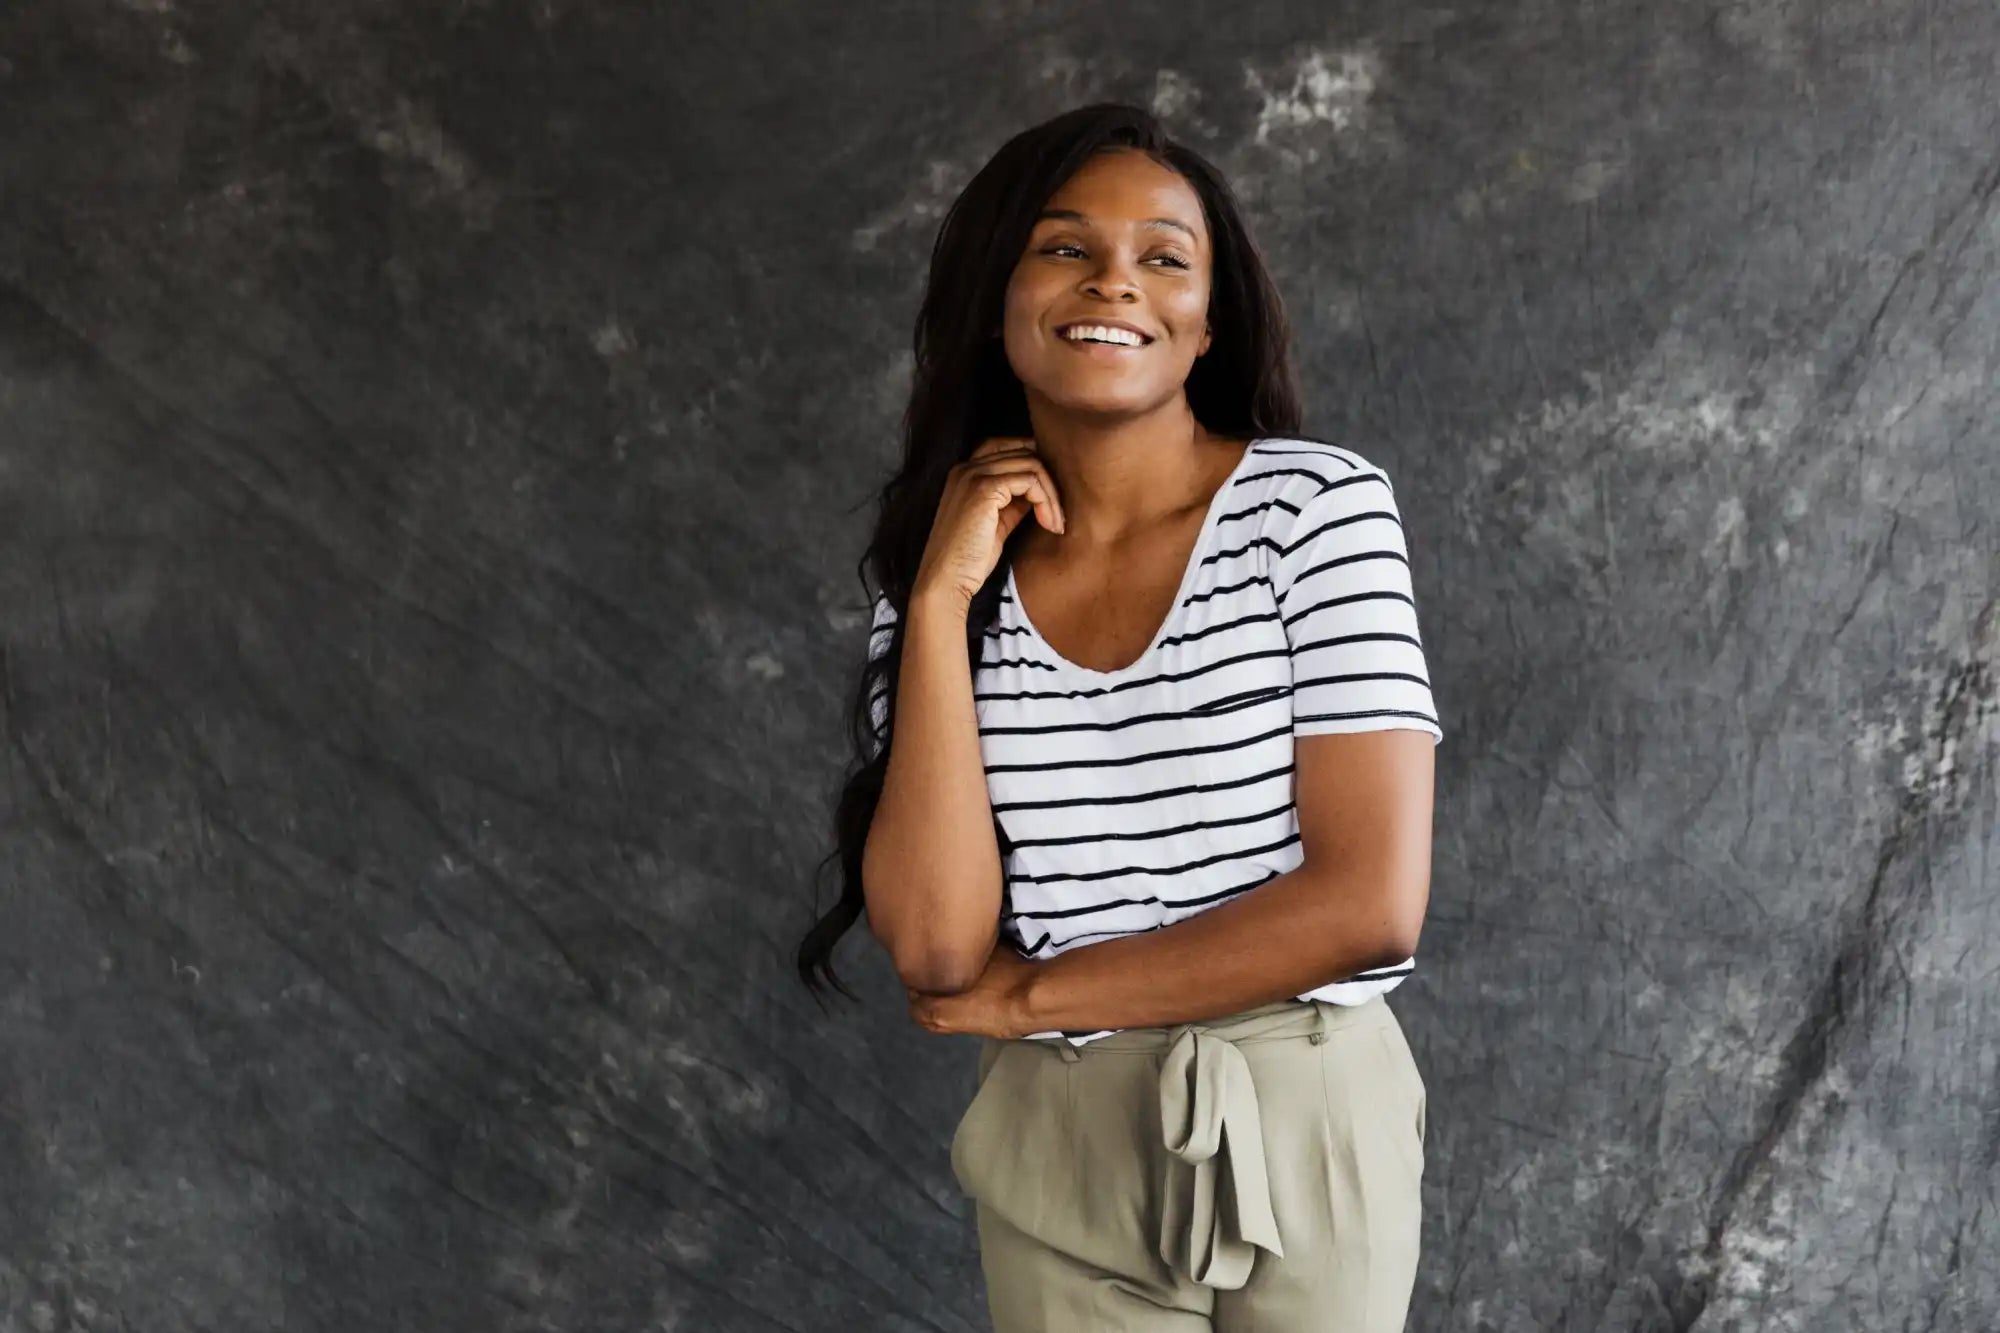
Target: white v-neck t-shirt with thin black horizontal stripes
(1145,796)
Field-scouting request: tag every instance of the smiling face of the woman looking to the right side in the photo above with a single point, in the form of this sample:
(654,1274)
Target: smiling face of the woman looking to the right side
(1125,243)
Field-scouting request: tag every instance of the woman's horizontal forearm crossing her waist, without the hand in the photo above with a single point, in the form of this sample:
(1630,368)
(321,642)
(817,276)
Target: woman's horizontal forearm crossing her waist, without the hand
(1285,938)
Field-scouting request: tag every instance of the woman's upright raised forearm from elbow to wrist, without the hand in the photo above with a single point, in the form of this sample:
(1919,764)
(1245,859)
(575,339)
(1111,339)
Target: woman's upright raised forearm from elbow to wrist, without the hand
(931,870)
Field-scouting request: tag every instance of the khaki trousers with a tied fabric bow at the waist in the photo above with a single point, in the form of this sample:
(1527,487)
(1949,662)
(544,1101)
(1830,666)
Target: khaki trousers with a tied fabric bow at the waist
(1255,1174)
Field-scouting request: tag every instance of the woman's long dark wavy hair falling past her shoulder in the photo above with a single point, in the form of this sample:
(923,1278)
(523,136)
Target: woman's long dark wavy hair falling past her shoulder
(965,391)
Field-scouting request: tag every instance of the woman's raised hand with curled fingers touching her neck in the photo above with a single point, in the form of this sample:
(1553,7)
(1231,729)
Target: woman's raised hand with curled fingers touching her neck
(985,499)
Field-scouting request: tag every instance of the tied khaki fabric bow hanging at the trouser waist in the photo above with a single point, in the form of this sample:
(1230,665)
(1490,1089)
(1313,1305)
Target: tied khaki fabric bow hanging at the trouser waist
(1217,1208)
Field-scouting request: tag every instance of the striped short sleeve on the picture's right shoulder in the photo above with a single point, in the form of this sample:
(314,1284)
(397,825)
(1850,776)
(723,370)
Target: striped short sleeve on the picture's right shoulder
(1345,597)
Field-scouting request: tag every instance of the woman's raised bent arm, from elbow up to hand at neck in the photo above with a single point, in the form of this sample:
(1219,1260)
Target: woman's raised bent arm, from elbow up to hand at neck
(931,868)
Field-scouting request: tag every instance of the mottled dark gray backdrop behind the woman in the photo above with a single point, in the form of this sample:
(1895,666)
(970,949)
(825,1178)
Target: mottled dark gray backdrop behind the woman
(431,453)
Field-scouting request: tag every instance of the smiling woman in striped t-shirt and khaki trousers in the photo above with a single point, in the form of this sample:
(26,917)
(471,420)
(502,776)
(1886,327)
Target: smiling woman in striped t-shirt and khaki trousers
(1147,788)
